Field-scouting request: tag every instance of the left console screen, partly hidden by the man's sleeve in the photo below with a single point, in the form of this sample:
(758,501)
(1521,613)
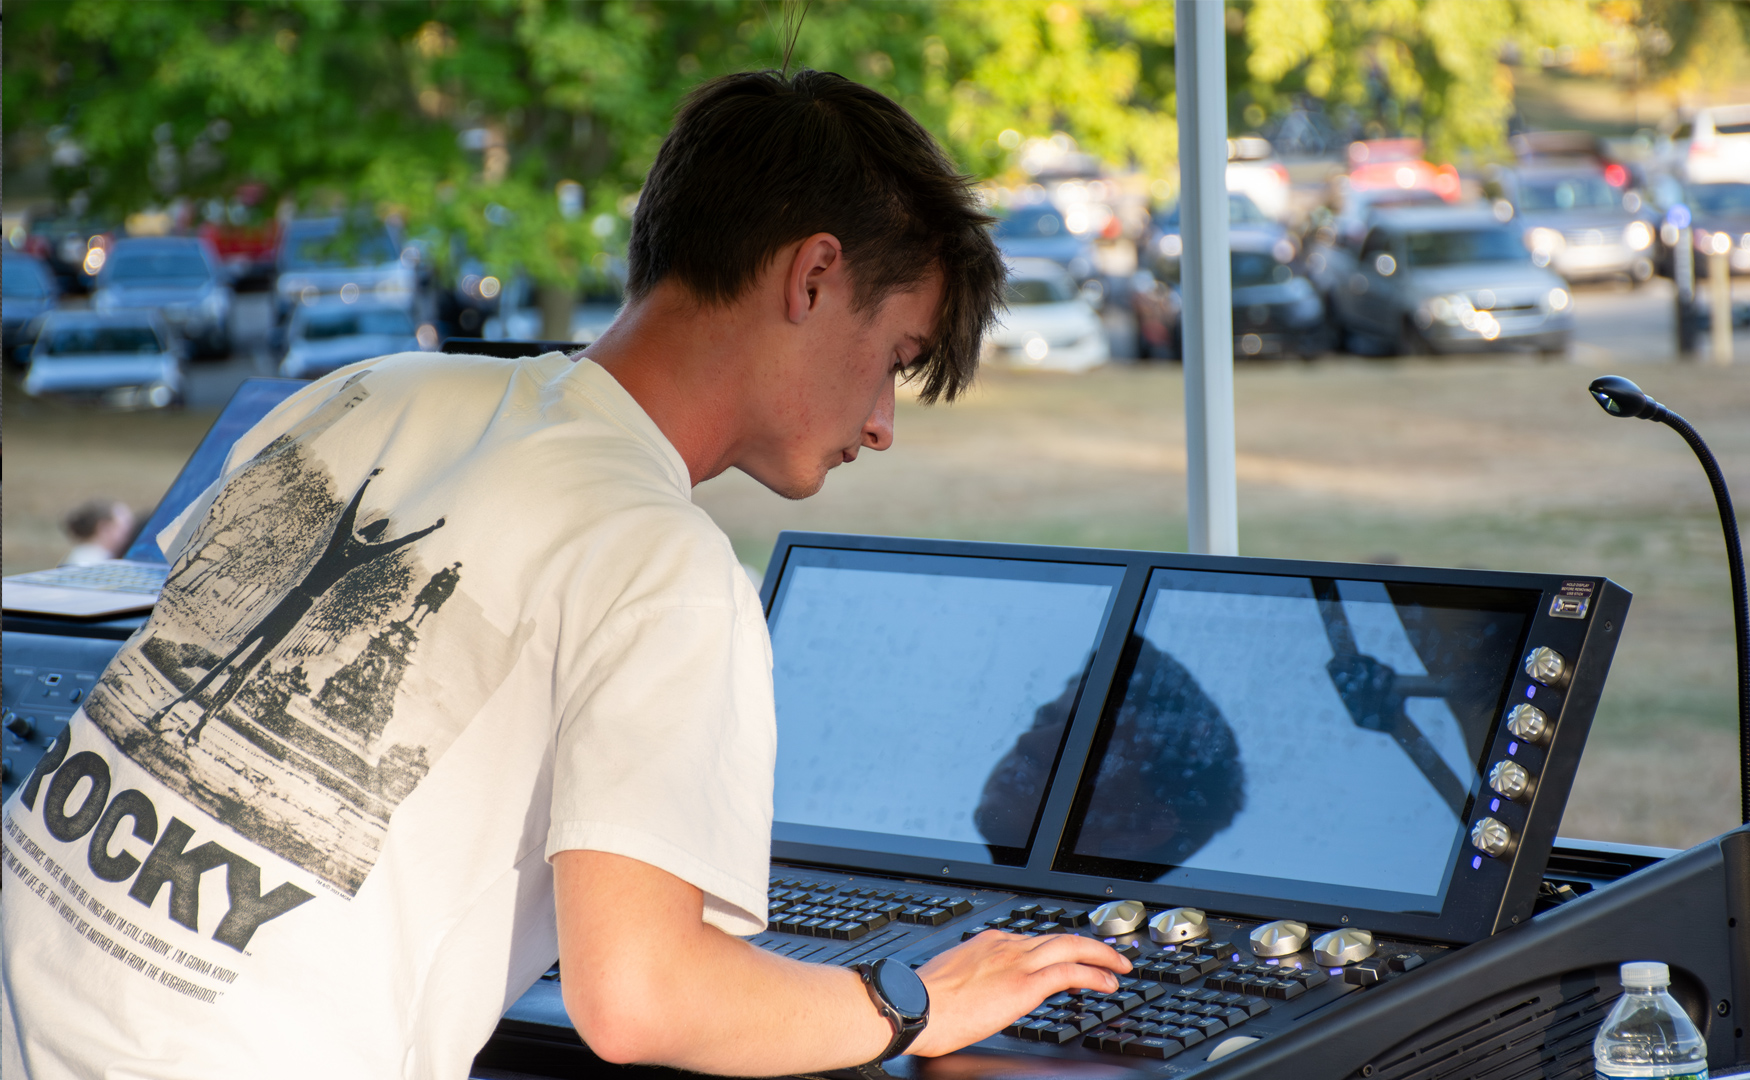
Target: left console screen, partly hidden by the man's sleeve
(923,699)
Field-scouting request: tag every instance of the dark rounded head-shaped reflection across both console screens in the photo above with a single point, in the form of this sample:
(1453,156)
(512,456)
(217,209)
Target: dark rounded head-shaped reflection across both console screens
(1170,778)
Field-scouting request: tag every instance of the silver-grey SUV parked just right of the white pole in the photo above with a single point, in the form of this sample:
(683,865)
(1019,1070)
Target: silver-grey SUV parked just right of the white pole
(1448,281)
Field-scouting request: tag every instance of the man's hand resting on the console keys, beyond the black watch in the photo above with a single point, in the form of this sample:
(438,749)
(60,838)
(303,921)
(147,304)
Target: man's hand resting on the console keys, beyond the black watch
(981,986)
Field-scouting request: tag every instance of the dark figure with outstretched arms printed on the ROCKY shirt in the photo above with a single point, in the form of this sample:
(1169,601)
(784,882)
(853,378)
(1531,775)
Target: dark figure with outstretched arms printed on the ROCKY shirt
(347,551)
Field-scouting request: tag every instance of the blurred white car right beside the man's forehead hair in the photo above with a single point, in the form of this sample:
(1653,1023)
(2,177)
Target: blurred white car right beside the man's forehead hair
(1049,325)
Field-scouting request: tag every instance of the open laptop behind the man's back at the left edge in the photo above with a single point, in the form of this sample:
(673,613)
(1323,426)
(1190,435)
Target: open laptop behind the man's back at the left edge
(132,584)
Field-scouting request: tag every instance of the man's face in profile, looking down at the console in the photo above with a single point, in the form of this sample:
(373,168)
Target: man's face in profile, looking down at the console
(832,396)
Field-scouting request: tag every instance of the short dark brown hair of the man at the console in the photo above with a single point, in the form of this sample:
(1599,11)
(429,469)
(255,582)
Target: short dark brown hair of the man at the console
(757,162)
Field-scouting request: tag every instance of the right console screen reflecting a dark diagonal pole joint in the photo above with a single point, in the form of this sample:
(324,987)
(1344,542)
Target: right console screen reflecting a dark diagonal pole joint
(1303,738)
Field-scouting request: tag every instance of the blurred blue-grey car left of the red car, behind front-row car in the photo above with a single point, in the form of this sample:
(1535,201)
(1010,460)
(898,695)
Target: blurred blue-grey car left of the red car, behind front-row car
(179,277)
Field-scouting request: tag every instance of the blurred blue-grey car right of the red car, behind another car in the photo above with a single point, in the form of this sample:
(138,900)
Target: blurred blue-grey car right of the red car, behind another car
(335,260)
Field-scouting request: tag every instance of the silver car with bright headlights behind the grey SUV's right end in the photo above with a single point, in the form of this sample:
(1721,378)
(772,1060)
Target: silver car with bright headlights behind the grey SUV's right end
(1578,223)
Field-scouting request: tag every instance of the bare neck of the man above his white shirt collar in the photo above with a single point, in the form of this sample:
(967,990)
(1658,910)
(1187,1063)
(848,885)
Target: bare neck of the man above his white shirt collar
(685,365)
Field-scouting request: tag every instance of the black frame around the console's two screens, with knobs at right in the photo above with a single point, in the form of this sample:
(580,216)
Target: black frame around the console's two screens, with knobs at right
(1474,906)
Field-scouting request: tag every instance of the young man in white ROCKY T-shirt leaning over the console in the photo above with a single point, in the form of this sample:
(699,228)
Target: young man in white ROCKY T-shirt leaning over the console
(451,675)
